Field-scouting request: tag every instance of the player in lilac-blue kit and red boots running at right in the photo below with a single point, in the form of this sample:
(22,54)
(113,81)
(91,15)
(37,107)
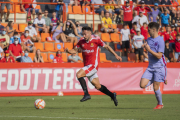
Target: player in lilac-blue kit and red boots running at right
(156,71)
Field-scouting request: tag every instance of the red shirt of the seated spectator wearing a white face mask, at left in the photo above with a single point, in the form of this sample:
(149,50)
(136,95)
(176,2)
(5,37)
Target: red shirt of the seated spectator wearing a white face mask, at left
(16,50)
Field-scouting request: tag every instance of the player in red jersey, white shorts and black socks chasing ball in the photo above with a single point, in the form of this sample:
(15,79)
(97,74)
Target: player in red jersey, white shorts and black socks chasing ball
(90,52)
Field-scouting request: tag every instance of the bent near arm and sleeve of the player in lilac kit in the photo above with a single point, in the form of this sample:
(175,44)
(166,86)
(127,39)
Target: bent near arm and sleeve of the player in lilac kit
(160,50)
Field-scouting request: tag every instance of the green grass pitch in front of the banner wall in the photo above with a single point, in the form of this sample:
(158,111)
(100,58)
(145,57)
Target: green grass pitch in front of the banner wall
(99,107)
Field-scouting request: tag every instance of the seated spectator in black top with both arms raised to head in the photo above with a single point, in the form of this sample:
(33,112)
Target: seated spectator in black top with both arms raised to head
(69,30)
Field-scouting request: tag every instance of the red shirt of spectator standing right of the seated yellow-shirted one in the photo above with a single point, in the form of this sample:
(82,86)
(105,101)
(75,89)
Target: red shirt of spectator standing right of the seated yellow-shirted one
(128,13)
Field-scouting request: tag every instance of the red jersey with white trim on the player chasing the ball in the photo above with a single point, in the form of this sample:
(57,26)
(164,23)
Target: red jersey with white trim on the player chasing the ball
(90,51)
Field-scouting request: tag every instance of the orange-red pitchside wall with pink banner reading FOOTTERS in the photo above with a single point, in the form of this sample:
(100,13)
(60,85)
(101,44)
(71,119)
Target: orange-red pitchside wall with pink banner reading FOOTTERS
(37,79)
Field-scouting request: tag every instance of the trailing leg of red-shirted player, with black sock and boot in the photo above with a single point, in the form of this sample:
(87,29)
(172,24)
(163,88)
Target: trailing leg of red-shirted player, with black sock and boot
(95,81)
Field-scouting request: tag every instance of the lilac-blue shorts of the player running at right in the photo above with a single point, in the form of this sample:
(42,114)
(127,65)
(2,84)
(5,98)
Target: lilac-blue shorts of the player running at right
(155,74)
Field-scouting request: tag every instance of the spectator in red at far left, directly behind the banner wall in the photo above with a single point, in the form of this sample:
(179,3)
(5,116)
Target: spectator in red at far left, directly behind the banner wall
(7,58)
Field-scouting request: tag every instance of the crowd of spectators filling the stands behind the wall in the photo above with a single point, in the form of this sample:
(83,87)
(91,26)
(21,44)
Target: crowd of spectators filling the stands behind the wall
(133,15)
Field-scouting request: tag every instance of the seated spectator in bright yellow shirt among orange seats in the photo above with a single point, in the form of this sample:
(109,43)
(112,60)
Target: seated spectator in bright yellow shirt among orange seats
(107,24)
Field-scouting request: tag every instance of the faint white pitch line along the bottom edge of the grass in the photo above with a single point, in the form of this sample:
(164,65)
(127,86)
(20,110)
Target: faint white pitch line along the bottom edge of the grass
(65,117)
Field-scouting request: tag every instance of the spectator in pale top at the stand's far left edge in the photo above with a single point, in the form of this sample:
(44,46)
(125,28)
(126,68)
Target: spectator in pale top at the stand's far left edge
(4,40)
